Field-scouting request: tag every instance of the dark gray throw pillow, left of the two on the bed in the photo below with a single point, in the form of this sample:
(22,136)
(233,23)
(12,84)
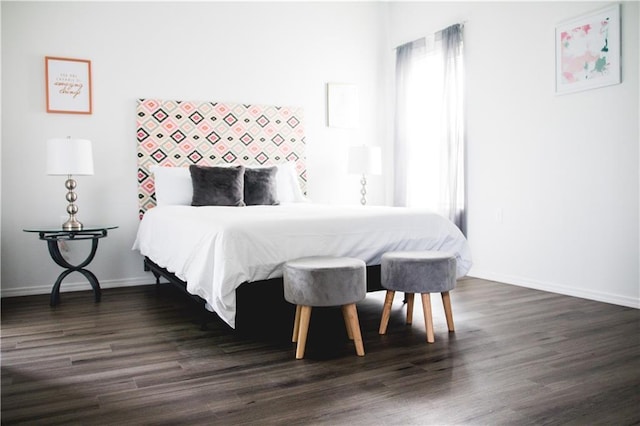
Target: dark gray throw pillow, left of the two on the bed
(217,186)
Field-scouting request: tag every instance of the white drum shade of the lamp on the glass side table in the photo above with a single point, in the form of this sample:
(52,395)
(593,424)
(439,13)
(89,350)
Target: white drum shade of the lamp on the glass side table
(66,156)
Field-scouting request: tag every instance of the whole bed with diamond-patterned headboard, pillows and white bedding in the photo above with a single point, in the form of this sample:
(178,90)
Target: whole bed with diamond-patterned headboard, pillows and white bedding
(232,237)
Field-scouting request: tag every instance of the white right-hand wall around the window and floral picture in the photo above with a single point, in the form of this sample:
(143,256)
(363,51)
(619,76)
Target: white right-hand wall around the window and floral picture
(553,180)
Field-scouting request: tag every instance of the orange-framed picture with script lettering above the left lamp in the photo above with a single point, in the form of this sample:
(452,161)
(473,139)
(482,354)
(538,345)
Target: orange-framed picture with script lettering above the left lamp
(68,85)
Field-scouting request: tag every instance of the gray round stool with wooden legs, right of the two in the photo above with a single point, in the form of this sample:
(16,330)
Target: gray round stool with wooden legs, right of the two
(421,272)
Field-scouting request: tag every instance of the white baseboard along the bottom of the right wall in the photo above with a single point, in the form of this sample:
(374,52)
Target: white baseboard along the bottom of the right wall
(598,296)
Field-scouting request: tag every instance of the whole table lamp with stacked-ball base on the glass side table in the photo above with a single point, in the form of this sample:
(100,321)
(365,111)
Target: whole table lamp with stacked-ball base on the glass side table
(68,157)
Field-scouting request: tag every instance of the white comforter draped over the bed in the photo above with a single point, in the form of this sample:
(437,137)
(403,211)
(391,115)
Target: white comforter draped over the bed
(215,249)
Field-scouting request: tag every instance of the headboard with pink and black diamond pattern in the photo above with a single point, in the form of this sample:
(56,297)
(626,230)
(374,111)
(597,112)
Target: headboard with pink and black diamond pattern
(180,133)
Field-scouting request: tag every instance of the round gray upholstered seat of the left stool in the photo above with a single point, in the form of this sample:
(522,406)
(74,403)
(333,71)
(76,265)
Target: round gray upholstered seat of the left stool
(325,281)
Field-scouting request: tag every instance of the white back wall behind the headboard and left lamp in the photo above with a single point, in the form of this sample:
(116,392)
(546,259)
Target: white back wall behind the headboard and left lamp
(263,53)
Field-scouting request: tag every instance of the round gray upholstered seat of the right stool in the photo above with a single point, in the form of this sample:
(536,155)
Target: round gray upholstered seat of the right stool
(418,271)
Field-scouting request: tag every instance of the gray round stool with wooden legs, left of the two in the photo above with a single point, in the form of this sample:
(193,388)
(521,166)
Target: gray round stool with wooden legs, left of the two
(325,281)
